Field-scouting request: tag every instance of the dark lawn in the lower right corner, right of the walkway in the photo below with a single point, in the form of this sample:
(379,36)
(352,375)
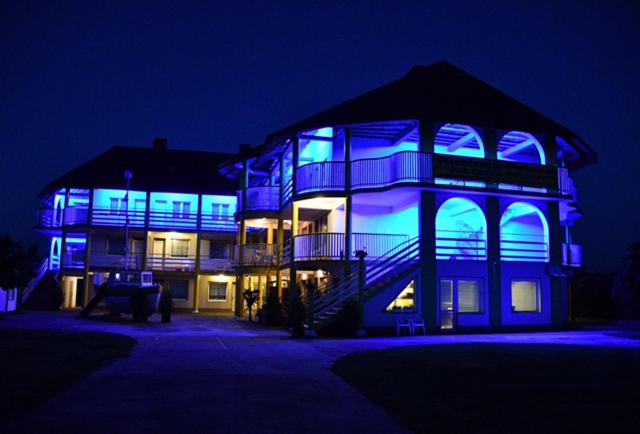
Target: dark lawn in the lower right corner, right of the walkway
(492,388)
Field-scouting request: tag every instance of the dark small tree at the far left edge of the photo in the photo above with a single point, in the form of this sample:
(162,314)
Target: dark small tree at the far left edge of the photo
(17,265)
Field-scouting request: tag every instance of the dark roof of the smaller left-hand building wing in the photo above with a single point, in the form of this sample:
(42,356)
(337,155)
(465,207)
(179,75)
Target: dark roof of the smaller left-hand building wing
(162,170)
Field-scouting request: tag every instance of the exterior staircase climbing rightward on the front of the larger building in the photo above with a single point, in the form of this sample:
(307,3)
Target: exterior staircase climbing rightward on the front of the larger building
(380,274)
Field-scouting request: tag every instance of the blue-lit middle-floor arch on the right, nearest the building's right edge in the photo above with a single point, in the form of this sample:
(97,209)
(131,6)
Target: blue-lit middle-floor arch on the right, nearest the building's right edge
(524,234)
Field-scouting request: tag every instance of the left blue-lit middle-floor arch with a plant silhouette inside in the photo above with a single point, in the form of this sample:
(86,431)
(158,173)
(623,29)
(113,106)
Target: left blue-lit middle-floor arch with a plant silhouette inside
(461,231)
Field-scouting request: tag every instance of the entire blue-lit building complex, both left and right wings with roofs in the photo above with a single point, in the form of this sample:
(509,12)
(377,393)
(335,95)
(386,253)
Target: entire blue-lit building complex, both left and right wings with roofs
(461,197)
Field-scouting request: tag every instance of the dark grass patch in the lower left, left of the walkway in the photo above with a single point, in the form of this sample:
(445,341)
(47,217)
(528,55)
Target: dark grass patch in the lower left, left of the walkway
(38,364)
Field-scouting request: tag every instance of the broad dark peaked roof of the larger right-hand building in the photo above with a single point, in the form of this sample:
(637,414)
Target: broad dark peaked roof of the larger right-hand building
(444,93)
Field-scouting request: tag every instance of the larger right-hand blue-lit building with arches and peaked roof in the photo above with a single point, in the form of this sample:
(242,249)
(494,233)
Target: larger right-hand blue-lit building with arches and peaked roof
(461,196)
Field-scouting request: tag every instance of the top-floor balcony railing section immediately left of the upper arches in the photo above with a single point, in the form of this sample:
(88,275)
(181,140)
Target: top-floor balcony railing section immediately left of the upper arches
(405,166)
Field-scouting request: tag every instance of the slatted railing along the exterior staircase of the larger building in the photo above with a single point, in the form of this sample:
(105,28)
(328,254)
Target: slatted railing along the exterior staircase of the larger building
(335,297)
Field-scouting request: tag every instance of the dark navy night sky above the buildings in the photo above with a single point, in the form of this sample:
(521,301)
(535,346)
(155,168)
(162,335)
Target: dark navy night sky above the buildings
(79,77)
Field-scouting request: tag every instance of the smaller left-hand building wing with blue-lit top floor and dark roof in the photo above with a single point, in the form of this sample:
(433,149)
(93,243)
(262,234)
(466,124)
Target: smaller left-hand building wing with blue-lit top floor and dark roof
(180,214)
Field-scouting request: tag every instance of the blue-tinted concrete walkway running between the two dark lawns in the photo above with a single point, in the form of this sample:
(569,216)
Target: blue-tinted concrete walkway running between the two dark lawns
(204,374)
